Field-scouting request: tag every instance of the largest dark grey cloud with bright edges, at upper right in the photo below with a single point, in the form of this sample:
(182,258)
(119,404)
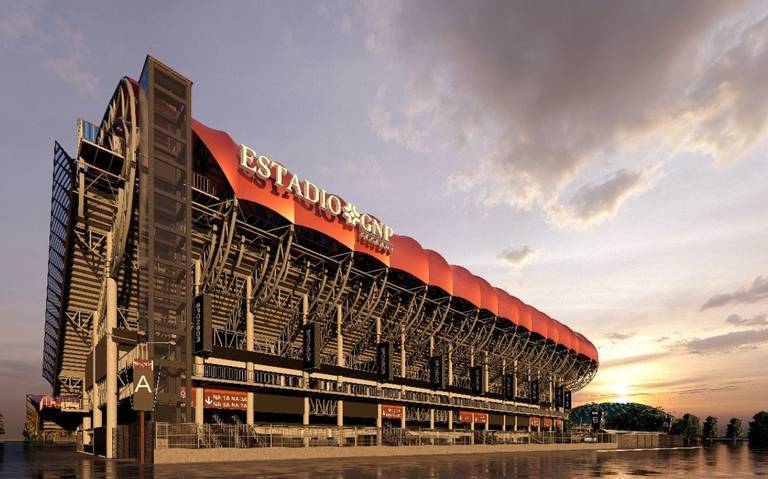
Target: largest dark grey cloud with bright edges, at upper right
(546,97)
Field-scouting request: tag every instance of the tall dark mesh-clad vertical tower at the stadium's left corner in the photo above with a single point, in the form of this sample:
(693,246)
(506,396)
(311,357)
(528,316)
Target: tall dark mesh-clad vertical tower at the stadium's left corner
(165,103)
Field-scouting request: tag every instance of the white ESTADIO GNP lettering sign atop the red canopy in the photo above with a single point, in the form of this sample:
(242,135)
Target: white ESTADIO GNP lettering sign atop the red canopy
(369,228)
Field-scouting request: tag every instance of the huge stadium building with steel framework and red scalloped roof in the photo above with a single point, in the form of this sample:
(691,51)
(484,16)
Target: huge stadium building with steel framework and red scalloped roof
(254,296)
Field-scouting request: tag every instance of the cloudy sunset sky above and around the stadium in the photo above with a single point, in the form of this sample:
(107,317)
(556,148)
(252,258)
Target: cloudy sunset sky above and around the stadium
(604,161)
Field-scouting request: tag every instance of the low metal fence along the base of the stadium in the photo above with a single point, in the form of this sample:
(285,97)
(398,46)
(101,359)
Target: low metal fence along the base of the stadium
(204,436)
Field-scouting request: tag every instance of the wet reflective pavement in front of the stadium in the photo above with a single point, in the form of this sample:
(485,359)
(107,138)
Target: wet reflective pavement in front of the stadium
(721,460)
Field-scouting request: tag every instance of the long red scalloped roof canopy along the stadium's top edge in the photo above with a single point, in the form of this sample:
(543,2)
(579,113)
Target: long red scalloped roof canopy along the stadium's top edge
(407,255)
